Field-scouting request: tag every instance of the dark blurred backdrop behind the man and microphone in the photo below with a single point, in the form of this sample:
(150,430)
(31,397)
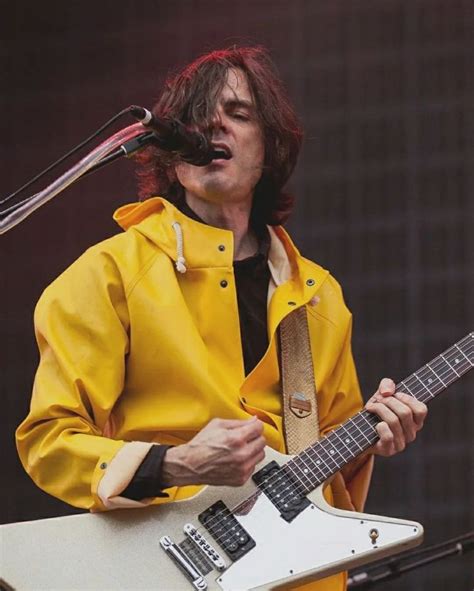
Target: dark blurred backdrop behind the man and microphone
(385,195)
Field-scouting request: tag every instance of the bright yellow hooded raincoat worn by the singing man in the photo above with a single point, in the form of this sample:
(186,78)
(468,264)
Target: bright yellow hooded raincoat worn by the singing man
(134,352)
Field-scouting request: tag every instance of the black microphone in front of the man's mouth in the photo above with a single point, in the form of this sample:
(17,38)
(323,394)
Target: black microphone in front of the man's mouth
(173,136)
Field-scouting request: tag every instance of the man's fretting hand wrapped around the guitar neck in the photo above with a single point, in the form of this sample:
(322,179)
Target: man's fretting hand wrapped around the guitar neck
(402,417)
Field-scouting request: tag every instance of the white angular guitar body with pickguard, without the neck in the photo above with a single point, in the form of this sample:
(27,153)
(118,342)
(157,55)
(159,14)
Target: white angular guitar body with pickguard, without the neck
(121,549)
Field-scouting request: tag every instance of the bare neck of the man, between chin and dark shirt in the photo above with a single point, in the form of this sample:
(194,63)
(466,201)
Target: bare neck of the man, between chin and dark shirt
(228,216)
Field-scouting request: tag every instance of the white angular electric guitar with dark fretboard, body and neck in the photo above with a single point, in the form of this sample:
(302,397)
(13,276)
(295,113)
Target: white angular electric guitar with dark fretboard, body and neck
(276,531)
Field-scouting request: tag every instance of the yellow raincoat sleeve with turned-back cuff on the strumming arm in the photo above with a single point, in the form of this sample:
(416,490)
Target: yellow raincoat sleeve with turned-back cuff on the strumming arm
(81,325)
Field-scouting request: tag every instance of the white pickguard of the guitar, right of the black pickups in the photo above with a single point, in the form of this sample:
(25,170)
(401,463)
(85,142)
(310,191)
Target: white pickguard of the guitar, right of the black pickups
(319,541)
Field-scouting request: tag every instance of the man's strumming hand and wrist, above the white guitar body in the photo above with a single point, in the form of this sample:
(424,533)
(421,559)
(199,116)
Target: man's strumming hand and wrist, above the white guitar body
(224,453)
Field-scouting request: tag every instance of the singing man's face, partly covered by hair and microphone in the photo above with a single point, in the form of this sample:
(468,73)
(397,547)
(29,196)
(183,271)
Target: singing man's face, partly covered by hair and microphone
(236,130)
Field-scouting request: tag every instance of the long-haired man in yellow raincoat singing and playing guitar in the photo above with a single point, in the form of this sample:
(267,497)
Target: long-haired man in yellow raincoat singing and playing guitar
(159,363)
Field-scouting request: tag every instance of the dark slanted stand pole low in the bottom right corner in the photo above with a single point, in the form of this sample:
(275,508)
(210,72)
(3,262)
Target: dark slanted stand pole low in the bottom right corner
(394,567)
